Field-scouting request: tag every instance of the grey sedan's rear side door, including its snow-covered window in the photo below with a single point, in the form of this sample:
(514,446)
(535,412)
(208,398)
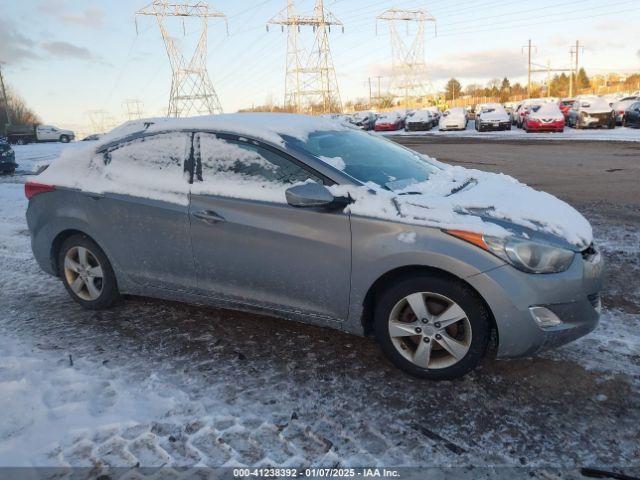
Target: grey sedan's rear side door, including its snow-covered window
(140,209)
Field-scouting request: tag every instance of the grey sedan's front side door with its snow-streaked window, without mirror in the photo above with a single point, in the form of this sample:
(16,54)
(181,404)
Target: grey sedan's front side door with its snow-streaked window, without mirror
(250,246)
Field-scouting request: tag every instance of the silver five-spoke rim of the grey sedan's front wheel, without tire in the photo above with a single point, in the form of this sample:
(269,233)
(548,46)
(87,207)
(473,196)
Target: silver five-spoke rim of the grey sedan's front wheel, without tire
(440,342)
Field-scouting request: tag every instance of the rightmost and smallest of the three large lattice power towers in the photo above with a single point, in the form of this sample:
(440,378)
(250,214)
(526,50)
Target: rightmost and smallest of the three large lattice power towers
(410,76)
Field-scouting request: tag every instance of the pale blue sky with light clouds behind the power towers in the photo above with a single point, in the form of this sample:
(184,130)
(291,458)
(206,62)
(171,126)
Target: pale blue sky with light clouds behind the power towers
(68,57)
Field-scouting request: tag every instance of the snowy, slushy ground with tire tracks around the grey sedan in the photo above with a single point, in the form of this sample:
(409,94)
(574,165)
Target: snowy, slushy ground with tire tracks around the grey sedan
(154,383)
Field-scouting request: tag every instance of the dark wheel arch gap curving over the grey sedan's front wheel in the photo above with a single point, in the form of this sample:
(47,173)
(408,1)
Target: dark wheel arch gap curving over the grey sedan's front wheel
(408,271)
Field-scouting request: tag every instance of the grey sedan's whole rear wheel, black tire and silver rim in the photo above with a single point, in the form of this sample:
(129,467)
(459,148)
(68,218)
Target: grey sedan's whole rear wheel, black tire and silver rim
(87,273)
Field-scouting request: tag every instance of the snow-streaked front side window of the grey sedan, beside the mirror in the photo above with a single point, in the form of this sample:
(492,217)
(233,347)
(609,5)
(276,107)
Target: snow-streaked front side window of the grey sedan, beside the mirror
(242,169)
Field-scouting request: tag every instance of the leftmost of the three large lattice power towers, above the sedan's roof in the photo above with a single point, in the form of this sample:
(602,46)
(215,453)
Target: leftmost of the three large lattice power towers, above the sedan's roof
(192,91)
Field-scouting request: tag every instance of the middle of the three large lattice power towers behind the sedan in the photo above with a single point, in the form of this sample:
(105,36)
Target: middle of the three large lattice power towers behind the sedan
(310,86)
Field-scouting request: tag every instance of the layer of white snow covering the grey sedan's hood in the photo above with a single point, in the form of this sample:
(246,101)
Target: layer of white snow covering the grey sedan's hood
(471,200)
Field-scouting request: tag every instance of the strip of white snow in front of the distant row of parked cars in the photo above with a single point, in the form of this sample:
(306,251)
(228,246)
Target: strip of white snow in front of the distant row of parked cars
(618,134)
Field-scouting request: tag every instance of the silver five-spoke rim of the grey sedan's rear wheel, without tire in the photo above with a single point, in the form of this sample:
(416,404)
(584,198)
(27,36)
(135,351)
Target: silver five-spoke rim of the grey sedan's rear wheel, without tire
(83,273)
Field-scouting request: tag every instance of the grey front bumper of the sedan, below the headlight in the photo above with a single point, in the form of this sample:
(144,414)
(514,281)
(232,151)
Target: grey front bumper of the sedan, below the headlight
(573,296)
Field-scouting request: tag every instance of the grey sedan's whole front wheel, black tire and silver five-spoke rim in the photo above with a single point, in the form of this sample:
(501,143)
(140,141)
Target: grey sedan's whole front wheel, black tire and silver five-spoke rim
(432,327)
